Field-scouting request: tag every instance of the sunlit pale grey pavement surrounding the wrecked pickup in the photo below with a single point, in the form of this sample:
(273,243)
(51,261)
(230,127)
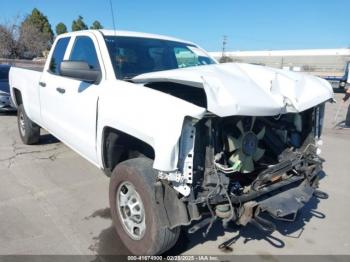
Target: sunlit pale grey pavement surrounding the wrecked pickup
(52,201)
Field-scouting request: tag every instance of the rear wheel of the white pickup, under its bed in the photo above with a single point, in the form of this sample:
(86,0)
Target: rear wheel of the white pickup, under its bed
(28,130)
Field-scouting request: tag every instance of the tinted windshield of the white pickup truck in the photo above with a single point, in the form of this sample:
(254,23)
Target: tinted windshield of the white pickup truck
(132,56)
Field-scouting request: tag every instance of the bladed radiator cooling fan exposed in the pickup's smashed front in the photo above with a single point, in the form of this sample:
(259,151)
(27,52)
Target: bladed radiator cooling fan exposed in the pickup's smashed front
(244,150)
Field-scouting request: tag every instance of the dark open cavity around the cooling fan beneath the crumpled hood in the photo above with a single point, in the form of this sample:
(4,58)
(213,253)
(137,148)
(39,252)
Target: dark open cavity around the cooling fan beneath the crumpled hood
(251,144)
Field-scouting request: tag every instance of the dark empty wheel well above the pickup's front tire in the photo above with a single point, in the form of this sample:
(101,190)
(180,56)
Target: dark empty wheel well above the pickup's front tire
(118,146)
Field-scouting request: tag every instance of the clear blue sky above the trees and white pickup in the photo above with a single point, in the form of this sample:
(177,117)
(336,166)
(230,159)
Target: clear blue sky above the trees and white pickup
(249,24)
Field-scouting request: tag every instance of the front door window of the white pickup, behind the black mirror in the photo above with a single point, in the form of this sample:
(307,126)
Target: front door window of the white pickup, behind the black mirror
(84,50)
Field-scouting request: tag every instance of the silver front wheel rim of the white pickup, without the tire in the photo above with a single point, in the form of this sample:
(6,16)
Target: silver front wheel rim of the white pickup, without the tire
(131,211)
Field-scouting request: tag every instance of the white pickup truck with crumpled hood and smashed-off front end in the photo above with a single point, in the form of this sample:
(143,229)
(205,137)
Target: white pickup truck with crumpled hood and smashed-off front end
(185,140)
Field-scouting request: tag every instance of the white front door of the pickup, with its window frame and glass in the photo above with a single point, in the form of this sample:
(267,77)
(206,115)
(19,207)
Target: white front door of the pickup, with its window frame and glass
(75,111)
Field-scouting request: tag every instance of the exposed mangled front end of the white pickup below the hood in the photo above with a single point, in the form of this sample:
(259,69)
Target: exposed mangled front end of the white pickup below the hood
(236,167)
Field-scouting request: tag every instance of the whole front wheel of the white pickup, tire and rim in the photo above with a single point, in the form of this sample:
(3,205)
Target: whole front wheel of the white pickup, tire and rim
(134,211)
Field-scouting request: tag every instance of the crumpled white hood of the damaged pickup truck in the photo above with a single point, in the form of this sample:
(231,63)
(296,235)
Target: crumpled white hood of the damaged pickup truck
(245,89)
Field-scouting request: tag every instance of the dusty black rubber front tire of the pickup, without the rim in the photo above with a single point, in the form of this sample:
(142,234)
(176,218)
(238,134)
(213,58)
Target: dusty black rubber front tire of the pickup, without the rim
(156,239)
